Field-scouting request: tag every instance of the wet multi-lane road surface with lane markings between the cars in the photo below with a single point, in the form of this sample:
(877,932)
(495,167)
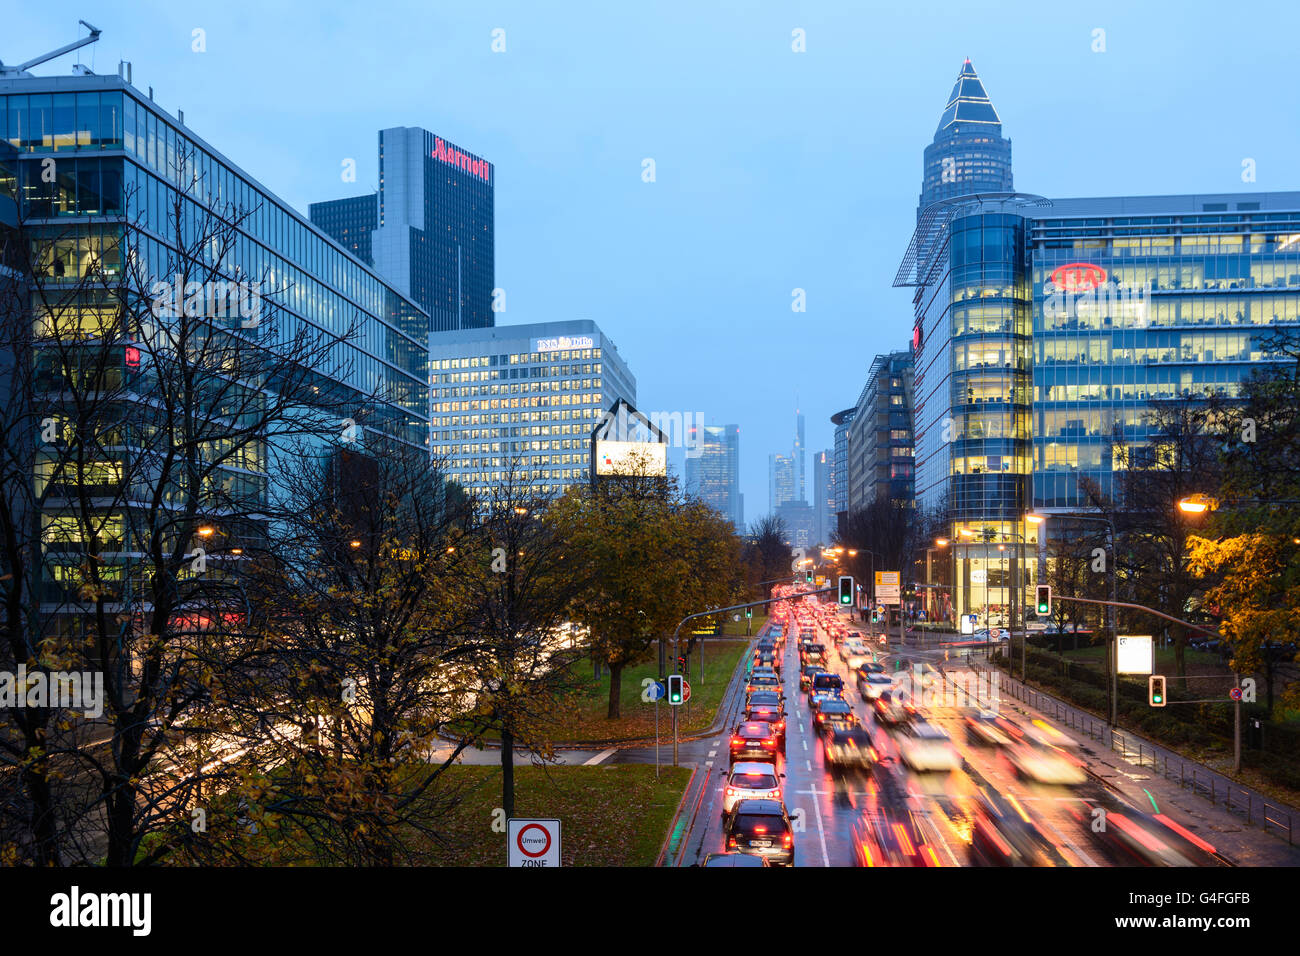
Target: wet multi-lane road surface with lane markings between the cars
(1072,823)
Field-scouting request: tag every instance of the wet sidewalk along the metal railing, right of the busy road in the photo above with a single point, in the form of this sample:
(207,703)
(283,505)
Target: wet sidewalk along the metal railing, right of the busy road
(1229,816)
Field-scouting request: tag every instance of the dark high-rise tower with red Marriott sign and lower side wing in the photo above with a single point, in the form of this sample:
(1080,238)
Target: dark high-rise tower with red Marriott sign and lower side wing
(434,222)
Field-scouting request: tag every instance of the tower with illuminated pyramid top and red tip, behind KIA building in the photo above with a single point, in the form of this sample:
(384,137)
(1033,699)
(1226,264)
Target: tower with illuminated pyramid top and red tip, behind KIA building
(969,154)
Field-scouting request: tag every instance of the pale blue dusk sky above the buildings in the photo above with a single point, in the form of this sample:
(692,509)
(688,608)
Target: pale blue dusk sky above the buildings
(774,170)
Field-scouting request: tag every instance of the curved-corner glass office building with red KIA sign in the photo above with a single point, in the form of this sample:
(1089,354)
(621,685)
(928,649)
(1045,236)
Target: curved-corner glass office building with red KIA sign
(1046,331)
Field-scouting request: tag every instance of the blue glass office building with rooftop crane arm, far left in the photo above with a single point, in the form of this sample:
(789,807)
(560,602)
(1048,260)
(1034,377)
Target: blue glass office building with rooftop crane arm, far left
(119,165)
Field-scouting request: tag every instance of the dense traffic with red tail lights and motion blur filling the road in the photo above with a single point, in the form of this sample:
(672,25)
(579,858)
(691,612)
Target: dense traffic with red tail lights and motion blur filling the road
(848,750)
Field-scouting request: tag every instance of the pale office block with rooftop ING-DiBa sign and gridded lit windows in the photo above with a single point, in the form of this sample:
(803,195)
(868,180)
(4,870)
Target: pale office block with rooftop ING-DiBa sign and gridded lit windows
(525,397)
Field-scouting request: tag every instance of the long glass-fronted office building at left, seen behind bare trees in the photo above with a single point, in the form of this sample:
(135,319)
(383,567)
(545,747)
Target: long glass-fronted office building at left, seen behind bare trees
(103,228)
